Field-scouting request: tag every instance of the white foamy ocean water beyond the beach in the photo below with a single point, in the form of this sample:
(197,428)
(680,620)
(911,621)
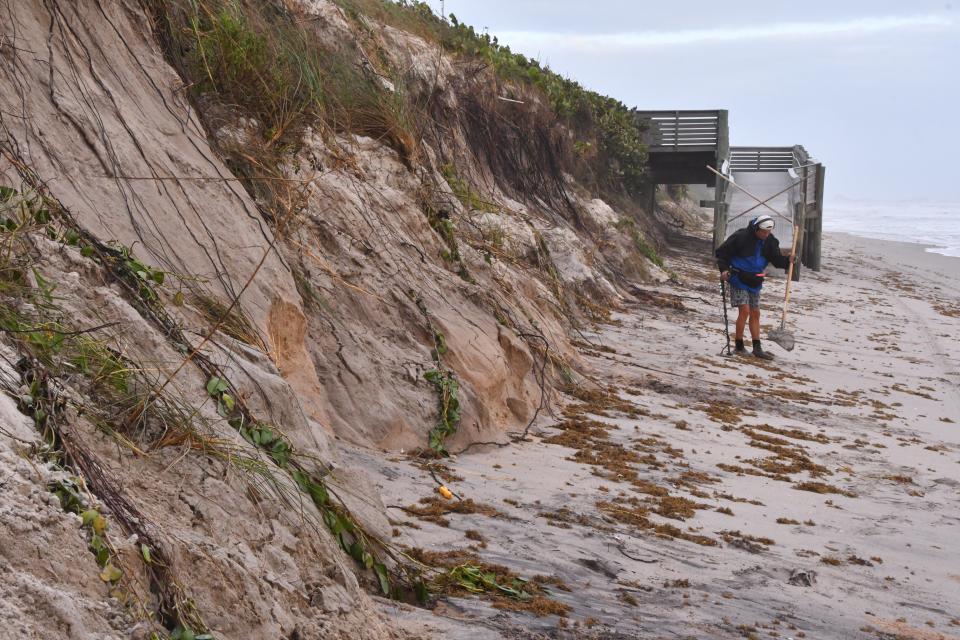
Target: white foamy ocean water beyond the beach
(932,223)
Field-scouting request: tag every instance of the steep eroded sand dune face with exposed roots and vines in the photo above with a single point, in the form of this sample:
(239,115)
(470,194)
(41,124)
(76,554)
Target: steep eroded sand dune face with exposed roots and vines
(186,279)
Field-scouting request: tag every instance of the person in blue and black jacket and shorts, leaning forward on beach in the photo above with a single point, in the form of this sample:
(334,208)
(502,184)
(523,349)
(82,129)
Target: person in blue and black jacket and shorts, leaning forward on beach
(742,259)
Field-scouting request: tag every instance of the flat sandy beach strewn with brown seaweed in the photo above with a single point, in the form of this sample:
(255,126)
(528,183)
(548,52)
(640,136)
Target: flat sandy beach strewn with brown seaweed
(690,495)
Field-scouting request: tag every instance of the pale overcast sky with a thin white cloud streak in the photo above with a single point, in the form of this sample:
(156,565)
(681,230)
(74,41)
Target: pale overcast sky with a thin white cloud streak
(871,88)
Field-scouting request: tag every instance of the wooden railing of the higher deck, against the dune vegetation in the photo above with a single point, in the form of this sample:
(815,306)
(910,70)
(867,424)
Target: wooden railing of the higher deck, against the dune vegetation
(679,131)
